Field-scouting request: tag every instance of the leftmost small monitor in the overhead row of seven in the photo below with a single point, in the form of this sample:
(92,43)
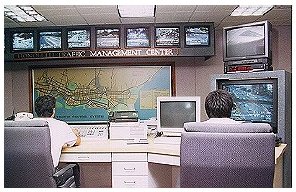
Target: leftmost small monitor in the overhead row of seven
(23,41)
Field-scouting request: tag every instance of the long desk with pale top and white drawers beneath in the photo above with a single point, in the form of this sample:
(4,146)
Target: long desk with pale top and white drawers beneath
(161,168)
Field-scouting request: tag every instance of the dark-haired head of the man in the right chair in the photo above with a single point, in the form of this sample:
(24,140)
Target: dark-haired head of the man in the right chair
(219,104)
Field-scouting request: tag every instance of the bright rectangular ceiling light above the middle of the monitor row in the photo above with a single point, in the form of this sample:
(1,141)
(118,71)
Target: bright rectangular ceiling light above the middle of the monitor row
(136,10)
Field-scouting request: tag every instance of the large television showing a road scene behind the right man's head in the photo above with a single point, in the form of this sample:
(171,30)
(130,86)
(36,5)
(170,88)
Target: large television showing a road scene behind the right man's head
(255,100)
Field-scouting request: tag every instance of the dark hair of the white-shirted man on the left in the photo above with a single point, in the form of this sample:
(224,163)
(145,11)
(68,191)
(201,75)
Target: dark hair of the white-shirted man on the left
(44,106)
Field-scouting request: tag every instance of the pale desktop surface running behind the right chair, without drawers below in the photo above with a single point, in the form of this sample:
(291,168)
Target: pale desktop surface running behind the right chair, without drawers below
(121,146)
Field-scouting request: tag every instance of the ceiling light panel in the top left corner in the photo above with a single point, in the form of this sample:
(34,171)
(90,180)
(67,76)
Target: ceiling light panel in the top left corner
(22,13)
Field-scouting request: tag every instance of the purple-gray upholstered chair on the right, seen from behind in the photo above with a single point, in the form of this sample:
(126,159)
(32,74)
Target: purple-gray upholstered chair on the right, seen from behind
(227,155)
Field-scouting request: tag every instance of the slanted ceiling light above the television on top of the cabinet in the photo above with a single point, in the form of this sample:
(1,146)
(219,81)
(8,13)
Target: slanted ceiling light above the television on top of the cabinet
(251,10)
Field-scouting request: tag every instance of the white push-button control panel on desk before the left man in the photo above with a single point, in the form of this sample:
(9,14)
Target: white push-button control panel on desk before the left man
(95,131)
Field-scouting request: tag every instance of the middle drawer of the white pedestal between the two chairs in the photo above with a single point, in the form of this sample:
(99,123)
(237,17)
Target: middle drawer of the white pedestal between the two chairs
(129,168)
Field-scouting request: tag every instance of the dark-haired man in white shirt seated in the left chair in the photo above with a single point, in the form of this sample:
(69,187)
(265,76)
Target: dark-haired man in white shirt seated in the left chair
(61,133)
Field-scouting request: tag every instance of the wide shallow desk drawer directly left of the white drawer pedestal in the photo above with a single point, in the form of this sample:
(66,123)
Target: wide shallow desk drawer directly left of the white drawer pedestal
(85,157)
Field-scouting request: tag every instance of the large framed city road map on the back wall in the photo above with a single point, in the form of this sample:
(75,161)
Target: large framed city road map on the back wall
(88,94)
